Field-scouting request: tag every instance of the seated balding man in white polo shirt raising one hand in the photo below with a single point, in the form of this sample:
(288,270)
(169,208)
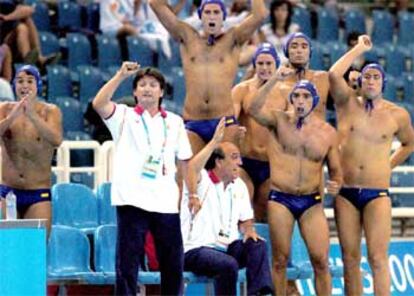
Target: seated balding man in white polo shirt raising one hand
(211,234)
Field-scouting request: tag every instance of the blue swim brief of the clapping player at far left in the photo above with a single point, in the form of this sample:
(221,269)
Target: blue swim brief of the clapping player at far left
(26,198)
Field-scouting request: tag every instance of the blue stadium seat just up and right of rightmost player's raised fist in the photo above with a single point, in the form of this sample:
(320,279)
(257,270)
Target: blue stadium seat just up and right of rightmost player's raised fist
(383,29)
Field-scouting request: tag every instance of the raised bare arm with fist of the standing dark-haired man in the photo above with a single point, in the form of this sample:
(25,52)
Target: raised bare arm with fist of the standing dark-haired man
(102,102)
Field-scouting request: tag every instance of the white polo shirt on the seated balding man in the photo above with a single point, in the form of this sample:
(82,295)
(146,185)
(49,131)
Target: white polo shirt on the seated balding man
(217,204)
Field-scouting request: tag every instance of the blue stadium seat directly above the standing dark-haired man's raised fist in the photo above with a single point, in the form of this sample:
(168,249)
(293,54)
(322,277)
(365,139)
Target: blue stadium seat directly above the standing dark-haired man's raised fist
(140,51)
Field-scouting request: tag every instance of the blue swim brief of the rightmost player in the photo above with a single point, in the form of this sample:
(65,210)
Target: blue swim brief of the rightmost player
(360,197)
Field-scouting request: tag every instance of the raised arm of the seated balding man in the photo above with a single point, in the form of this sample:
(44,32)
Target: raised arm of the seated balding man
(198,162)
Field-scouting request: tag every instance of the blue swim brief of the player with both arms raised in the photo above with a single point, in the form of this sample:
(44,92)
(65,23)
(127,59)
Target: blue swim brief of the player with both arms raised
(205,128)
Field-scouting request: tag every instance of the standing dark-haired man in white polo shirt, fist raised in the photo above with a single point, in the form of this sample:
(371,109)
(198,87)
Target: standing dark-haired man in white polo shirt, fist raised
(148,141)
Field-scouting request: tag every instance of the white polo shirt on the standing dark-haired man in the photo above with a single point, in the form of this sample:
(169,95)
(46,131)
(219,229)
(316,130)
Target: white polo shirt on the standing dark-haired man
(132,149)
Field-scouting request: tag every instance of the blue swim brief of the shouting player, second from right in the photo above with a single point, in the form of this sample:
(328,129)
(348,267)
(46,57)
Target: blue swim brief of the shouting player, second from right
(297,204)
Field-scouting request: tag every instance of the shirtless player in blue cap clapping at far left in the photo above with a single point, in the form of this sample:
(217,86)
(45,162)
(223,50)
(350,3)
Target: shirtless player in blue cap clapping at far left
(30,131)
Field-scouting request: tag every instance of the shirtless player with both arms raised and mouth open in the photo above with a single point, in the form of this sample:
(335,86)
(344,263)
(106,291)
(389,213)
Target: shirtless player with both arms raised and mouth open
(210,60)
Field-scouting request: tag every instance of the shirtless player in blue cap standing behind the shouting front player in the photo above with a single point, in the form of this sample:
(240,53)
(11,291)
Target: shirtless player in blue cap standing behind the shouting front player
(298,49)
